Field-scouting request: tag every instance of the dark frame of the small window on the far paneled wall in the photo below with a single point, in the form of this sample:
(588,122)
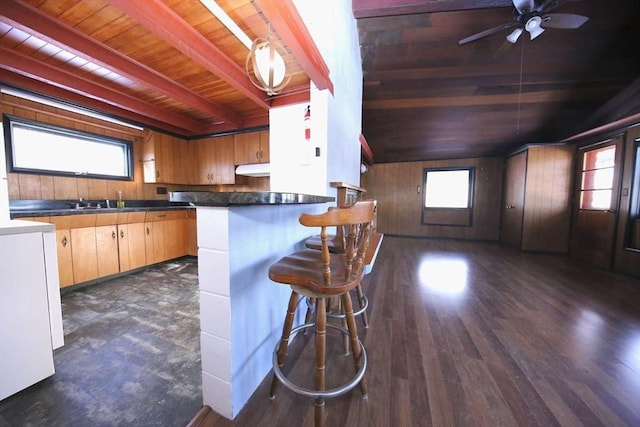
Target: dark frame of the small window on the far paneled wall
(449,216)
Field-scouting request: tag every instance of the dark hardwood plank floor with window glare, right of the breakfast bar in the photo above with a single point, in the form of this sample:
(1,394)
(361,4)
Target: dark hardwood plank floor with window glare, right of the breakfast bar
(479,334)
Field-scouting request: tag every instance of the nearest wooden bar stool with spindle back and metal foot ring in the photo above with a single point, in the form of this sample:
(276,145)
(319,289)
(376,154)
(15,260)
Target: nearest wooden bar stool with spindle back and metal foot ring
(320,274)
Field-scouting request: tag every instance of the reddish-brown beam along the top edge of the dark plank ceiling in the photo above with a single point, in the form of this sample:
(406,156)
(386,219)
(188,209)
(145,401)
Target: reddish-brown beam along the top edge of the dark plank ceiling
(376,8)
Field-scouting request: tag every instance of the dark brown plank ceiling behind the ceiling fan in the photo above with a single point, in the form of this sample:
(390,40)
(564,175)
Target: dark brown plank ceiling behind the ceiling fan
(425,97)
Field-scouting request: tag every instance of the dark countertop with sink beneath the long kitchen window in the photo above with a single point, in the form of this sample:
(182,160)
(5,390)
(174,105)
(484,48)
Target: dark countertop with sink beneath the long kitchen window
(31,208)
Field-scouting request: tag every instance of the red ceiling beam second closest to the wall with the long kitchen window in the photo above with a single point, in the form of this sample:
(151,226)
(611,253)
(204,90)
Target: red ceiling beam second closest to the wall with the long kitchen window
(44,72)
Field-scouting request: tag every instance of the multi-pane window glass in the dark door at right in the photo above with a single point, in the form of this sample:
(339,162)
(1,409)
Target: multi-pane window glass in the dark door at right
(597,178)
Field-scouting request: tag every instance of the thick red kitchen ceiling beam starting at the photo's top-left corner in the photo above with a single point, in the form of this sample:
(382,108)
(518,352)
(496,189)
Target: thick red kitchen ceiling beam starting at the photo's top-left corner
(35,22)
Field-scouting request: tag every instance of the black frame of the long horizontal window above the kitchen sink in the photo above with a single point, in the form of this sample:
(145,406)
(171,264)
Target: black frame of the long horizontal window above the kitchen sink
(10,121)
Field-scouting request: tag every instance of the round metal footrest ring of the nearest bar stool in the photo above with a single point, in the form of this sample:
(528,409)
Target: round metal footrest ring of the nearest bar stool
(320,394)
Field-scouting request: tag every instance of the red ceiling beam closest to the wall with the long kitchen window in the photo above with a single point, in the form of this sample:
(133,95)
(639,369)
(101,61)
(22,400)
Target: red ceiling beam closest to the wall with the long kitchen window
(79,101)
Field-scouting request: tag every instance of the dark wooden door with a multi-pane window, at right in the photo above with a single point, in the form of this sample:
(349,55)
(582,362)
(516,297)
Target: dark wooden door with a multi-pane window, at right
(597,190)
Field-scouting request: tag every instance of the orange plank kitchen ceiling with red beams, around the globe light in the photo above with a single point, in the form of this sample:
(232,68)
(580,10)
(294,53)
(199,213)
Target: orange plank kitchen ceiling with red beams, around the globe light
(169,65)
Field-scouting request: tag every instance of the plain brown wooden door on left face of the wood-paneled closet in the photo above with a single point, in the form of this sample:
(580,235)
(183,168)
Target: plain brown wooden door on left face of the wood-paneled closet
(513,199)
